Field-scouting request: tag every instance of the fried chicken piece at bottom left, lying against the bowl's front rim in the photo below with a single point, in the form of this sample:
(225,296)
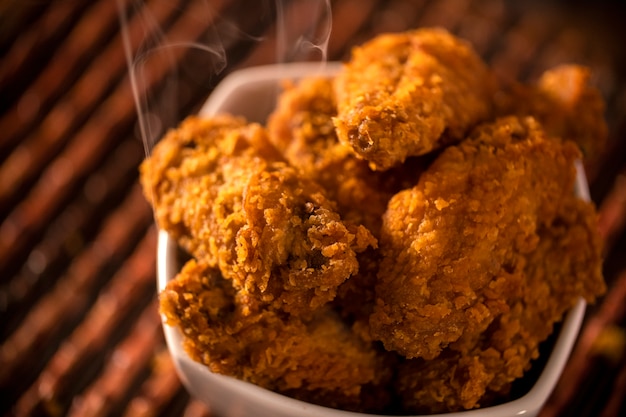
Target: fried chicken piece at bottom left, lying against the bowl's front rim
(316,360)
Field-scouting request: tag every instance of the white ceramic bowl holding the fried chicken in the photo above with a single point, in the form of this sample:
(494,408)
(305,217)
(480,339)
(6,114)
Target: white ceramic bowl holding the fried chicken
(251,93)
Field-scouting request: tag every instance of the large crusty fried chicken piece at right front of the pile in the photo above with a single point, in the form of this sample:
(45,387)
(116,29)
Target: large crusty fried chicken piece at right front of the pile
(454,243)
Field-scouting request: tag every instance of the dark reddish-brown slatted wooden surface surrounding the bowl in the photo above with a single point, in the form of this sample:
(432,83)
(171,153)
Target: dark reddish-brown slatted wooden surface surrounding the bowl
(80,332)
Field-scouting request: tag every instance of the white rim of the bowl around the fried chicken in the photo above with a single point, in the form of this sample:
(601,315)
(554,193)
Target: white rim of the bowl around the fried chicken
(167,267)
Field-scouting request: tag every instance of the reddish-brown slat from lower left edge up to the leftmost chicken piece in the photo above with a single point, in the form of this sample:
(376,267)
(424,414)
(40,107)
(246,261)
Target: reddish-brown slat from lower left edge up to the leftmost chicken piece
(47,320)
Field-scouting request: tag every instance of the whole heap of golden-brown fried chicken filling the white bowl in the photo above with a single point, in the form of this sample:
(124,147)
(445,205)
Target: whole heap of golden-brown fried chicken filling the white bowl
(402,231)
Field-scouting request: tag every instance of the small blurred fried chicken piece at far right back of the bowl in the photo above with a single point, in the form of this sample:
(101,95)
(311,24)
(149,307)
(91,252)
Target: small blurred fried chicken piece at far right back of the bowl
(566,104)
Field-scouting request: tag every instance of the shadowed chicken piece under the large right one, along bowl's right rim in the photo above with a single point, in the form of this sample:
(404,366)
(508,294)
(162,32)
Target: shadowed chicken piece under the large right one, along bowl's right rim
(565,265)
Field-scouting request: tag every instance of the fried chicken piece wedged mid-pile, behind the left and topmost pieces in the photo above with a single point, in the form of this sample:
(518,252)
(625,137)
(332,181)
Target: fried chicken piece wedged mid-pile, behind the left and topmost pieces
(301,127)
